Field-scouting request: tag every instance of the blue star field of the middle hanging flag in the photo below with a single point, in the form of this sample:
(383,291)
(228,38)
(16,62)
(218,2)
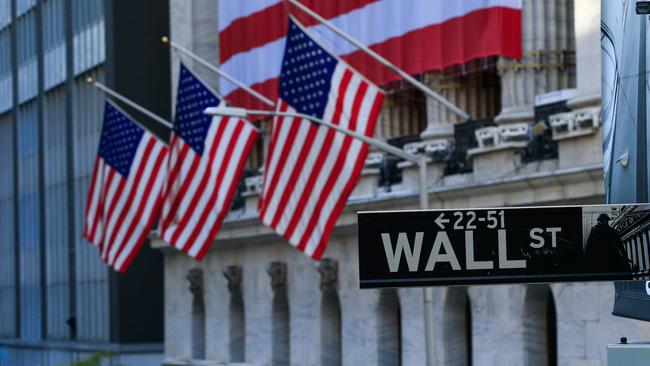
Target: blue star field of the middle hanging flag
(191,100)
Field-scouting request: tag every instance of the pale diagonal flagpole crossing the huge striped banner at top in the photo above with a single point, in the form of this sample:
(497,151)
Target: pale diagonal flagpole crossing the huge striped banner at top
(425,89)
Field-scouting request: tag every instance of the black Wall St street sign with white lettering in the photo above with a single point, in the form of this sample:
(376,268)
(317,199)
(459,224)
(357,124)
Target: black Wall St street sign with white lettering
(503,245)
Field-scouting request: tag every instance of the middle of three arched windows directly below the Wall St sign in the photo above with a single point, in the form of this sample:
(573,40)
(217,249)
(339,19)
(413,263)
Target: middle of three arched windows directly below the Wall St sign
(458,328)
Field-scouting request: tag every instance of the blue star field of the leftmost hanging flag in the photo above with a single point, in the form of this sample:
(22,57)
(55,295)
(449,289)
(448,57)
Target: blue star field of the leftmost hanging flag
(119,141)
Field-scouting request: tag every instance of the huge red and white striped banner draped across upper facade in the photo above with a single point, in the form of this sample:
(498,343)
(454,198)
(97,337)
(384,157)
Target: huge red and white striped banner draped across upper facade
(416,35)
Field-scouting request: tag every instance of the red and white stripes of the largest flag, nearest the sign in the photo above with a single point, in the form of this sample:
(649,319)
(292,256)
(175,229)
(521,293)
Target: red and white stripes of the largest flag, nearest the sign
(311,170)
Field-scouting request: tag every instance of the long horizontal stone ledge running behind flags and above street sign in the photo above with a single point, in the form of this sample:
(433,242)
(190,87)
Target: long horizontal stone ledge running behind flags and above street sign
(546,186)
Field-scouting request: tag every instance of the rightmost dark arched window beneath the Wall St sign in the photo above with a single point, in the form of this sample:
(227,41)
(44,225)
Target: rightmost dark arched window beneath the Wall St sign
(540,327)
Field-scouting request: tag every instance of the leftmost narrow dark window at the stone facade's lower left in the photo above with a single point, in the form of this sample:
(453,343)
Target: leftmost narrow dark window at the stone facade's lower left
(195,278)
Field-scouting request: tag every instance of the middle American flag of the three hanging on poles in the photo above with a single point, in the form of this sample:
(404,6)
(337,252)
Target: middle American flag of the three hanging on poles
(205,163)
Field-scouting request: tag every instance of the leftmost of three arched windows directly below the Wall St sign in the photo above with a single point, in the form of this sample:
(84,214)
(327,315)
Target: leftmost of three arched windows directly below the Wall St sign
(389,332)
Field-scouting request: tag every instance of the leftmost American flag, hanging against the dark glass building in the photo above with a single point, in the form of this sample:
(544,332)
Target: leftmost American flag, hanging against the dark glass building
(124,196)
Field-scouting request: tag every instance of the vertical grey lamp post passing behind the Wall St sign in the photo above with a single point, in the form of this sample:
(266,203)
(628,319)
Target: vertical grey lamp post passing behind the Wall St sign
(427,292)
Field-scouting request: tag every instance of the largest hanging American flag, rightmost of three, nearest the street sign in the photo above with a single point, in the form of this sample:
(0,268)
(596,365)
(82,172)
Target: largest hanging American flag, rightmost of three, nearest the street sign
(311,169)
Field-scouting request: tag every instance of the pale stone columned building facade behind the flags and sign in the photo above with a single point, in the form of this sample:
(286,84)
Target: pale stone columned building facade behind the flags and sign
(256,300)
